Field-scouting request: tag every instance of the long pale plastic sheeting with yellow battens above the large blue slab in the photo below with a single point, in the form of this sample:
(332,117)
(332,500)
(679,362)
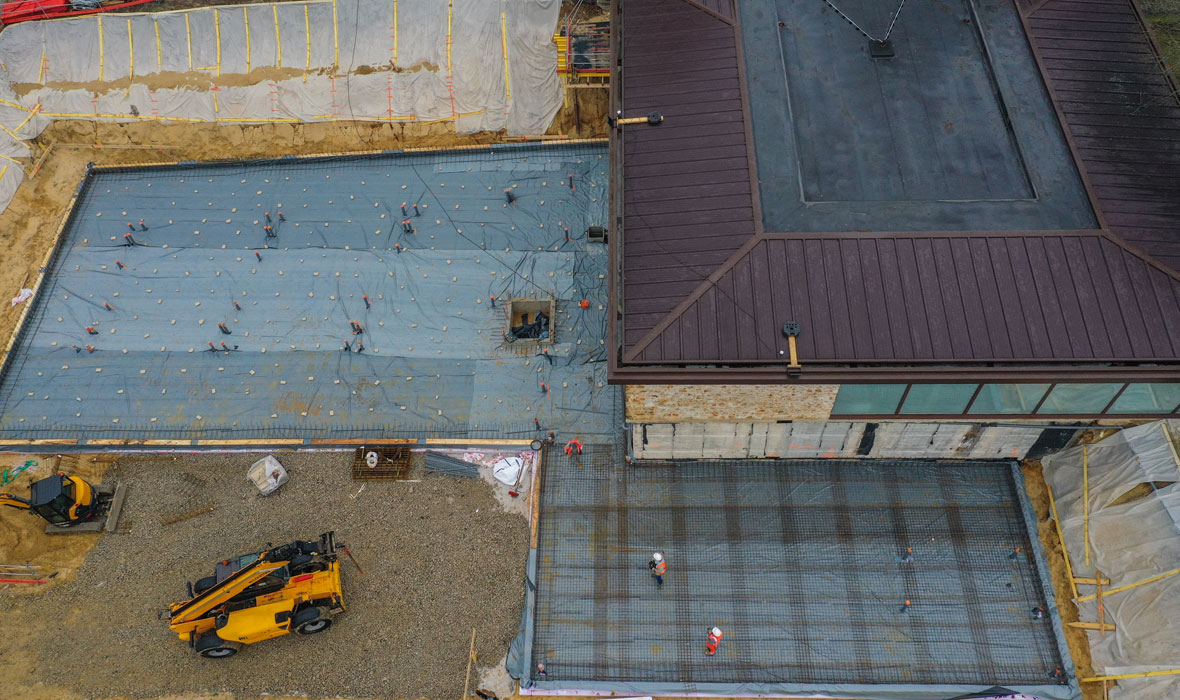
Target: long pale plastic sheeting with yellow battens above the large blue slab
(481,64)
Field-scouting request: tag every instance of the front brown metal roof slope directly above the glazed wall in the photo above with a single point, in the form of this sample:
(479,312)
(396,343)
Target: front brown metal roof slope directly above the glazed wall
(920,298)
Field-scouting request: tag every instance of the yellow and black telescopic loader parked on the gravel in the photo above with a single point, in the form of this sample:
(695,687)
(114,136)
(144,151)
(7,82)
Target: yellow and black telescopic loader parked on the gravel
(259,597)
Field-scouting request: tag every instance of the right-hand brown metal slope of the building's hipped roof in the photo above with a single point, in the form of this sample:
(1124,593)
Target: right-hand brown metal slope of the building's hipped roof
(1123,113)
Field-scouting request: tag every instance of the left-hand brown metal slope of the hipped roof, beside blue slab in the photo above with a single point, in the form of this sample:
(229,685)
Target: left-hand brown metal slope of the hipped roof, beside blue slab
(687,193)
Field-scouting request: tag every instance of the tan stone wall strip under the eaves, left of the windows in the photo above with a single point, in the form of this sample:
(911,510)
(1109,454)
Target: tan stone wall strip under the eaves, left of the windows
(735,403)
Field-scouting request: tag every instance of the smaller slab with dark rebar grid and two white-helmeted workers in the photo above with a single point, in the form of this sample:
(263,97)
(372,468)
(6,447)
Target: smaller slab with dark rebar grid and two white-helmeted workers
(828,572)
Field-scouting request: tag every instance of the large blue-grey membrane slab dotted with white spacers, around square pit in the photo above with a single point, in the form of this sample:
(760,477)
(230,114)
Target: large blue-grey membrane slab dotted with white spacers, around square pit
(435,358)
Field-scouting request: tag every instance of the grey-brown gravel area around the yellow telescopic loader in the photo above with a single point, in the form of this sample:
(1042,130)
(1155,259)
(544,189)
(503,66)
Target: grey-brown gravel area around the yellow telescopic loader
(441,558)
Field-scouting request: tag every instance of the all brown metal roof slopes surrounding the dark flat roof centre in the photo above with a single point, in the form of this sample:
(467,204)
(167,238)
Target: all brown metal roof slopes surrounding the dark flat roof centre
(704,287)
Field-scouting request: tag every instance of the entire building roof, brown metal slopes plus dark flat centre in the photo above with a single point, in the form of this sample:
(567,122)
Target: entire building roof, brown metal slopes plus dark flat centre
(936,231)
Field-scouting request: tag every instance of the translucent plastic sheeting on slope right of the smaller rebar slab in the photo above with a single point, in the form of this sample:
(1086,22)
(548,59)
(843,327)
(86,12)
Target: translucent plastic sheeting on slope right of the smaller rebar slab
(1130,544)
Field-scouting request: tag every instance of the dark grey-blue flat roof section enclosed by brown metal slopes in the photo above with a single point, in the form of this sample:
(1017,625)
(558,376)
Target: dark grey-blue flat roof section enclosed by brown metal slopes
(954,133)
